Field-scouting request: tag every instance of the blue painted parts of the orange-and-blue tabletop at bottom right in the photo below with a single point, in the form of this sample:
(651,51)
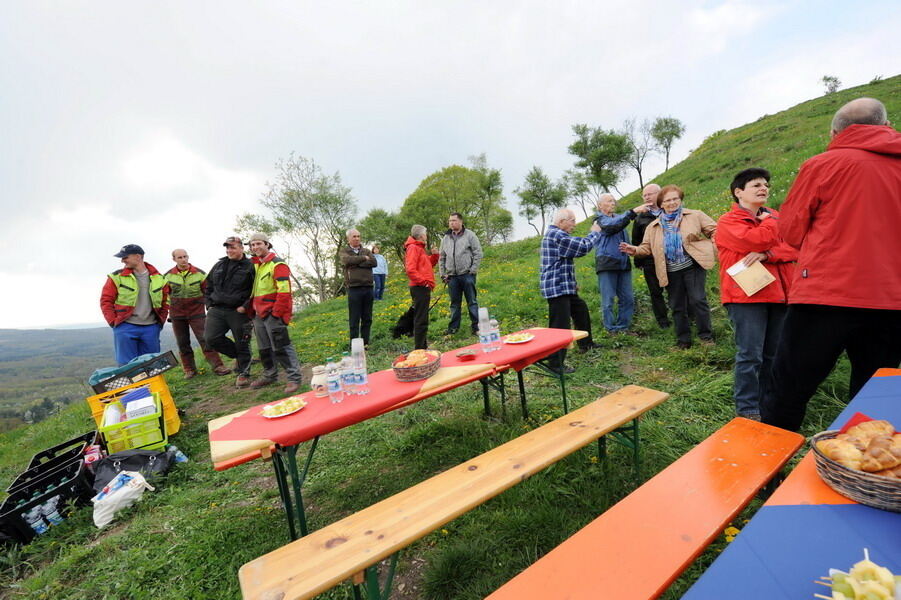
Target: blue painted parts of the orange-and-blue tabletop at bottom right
(784,549)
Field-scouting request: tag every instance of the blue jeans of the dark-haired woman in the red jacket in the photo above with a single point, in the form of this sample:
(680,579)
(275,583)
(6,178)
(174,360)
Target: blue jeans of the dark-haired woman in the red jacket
(758,330)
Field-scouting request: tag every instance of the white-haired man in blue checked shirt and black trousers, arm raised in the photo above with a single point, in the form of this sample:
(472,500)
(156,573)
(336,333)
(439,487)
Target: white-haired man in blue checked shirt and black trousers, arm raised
(557,280)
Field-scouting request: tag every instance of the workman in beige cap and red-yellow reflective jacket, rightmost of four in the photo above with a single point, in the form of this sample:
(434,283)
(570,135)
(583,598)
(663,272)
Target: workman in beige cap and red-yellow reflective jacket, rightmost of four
(272,307)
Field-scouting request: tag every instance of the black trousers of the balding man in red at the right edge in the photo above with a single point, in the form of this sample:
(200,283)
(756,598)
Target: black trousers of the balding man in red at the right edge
(813,338)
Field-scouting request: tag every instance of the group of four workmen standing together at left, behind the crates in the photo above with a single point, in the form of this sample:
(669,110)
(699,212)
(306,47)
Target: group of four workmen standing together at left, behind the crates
(240,295)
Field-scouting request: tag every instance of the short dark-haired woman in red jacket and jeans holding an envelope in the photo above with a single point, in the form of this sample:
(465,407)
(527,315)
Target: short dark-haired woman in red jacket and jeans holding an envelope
(747,234)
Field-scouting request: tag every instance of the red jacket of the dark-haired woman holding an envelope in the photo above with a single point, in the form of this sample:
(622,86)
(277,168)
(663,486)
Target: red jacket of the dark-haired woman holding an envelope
(737,234)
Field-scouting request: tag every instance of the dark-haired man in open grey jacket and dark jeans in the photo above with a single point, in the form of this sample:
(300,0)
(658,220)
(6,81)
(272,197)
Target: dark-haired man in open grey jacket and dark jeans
(458,263)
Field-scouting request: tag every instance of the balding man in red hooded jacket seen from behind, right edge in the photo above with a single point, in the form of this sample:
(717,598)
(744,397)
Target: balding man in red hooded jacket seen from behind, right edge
(843,214)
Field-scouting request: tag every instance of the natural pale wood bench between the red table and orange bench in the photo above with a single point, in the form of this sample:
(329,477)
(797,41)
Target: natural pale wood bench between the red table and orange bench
(347,548)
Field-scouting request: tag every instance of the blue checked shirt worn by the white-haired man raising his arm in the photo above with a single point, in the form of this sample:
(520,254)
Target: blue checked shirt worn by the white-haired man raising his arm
(557,276)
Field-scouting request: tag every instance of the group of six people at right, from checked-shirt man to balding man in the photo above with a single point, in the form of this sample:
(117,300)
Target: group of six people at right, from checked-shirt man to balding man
(831,258)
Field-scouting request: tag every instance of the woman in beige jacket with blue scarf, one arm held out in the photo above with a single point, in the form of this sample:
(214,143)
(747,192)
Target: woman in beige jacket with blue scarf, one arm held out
(680,243)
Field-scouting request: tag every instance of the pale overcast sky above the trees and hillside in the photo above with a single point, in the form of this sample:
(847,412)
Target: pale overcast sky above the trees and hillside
(158,122)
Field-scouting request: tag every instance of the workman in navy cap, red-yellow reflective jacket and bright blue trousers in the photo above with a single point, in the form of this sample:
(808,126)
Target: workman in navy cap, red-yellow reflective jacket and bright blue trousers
(135,303)
